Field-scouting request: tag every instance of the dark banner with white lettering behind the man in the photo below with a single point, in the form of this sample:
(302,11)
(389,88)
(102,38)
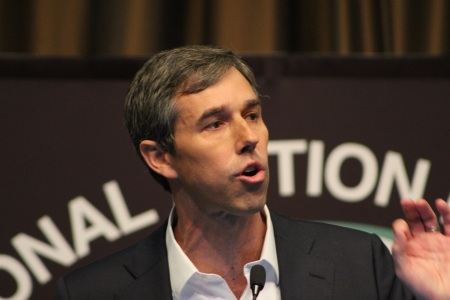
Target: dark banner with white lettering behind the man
(62,137)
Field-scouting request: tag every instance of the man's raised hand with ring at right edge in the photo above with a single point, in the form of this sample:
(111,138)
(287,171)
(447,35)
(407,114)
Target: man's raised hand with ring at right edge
(421,249)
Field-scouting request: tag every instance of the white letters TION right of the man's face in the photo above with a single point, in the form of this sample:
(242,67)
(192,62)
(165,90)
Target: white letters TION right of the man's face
(393,171)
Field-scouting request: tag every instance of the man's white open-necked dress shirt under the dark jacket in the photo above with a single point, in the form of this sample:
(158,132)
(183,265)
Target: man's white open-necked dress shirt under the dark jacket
(188,283)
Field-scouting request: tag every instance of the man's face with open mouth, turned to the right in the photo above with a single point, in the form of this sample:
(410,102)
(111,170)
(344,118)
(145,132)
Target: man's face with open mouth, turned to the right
(221,149)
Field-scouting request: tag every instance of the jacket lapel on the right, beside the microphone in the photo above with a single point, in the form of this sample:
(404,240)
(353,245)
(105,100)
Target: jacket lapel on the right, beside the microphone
(302,276)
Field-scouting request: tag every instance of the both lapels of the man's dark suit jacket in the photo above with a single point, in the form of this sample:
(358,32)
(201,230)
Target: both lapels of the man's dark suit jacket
(302,276)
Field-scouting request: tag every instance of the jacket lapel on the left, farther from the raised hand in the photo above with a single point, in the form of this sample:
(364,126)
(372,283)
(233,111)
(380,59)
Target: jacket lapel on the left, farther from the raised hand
(149,267)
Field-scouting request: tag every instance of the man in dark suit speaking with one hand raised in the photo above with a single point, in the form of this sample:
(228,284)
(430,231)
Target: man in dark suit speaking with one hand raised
(194,116)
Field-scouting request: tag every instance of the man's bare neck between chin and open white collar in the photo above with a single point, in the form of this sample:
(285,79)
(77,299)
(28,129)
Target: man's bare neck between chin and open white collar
(221,244)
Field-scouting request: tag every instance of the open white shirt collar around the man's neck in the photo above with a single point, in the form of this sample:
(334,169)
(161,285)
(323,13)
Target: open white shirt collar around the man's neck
(181,269)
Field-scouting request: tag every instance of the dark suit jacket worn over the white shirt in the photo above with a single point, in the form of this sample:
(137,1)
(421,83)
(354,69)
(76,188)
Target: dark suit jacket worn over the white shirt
(316,261)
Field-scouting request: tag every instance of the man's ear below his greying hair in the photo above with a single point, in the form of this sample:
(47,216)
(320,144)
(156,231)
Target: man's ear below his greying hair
(157,159)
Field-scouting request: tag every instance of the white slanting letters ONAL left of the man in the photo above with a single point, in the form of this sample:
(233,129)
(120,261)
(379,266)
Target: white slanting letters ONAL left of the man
(57,249)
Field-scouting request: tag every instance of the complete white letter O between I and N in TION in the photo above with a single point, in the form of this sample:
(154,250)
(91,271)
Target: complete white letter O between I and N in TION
(369,172)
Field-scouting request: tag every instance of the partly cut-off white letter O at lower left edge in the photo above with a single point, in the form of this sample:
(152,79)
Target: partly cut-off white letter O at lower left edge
(20,275)
